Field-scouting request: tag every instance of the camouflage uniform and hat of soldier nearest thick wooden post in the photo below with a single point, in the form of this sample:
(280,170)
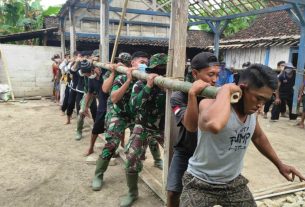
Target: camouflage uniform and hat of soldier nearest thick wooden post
(149,104)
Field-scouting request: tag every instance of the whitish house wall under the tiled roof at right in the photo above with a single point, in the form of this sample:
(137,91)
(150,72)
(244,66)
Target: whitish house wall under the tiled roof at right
(236,57)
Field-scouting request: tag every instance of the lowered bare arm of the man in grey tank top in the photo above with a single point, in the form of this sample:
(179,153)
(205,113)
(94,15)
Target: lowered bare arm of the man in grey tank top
(262,143)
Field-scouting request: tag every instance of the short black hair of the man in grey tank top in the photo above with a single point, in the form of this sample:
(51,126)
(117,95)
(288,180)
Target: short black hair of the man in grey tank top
(258,76)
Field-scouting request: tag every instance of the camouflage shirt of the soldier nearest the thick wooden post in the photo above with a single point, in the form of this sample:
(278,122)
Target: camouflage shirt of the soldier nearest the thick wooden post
(149,105)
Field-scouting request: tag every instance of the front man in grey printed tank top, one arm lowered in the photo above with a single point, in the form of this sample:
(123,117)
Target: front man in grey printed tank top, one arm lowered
(225,130)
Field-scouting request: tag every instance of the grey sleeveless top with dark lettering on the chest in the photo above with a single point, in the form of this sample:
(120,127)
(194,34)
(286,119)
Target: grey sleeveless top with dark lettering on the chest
(218,158)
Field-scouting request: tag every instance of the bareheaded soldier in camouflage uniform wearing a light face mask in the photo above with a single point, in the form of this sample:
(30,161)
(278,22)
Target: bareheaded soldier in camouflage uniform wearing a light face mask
(118,118)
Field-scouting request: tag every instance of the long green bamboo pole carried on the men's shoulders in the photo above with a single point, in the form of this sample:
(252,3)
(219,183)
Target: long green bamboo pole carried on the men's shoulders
(173,84)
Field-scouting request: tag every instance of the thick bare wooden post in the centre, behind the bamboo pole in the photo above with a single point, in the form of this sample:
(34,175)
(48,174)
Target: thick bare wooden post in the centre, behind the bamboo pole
(175,68)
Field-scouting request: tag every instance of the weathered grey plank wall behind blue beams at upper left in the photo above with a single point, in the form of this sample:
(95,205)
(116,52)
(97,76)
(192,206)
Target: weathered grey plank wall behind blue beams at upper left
(93,26)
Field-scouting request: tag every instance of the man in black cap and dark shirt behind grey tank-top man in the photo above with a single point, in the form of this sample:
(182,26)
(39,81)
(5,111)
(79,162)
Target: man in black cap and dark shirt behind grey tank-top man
(205,68)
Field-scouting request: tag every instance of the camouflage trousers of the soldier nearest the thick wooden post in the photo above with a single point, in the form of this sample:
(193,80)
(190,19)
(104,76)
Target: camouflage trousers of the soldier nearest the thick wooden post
(136,147)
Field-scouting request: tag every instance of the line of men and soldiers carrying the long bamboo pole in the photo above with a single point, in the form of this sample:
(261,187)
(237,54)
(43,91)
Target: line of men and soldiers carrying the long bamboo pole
(213,137)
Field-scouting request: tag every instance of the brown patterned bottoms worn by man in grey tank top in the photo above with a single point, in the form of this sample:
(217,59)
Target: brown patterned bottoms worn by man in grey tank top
(197,193)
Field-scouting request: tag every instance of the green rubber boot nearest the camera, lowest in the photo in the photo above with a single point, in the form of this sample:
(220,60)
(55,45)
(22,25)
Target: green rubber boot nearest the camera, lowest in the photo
(133,193)
